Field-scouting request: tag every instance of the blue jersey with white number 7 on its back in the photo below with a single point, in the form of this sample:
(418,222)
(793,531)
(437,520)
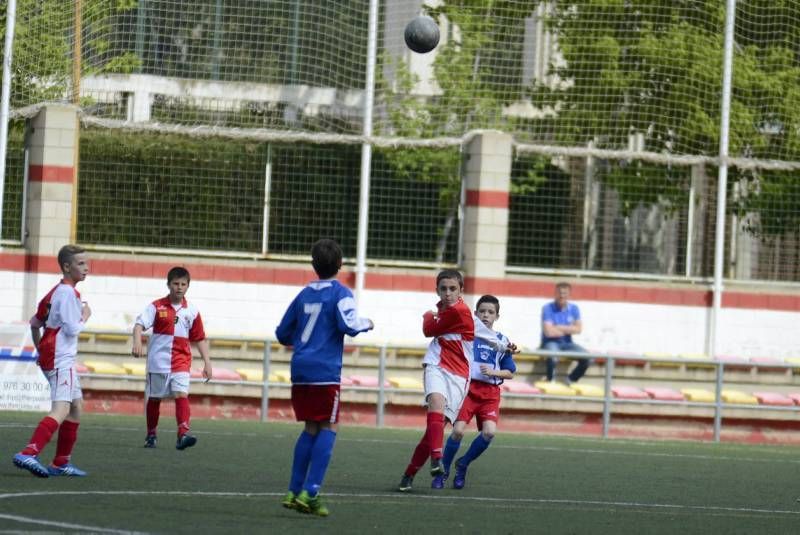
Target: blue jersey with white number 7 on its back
(315,325)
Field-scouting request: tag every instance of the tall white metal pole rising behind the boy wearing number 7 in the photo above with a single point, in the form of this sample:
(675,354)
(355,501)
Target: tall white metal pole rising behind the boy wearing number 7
(366,152)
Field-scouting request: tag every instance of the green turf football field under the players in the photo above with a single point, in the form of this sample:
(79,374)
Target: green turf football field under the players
(233,480)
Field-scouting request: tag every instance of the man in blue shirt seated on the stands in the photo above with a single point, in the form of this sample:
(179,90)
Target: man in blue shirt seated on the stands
(560,320)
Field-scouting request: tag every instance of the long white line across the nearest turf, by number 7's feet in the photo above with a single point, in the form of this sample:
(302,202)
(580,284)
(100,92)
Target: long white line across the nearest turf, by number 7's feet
(395,496)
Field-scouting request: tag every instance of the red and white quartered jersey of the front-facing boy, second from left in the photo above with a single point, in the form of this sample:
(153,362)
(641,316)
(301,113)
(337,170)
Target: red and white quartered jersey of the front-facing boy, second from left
(175,327)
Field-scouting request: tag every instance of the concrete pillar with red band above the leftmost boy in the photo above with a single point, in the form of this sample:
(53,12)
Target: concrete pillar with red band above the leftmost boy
(52,188)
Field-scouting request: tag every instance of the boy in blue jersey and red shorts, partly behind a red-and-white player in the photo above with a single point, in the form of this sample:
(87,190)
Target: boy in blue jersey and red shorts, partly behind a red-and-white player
(488,369)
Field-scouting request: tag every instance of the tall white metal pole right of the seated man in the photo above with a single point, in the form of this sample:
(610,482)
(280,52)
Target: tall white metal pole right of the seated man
(722,186)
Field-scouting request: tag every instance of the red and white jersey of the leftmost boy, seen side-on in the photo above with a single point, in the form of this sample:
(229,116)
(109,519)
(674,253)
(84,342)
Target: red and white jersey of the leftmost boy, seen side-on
(59,312)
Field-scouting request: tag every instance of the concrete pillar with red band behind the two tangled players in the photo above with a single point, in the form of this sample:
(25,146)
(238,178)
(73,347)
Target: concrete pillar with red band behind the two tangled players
(488,185)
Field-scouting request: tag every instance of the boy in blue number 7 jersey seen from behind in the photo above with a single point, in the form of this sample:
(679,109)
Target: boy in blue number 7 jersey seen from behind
(315,324)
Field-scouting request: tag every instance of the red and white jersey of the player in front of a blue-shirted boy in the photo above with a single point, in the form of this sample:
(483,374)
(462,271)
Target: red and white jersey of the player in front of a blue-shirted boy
(454,330)
